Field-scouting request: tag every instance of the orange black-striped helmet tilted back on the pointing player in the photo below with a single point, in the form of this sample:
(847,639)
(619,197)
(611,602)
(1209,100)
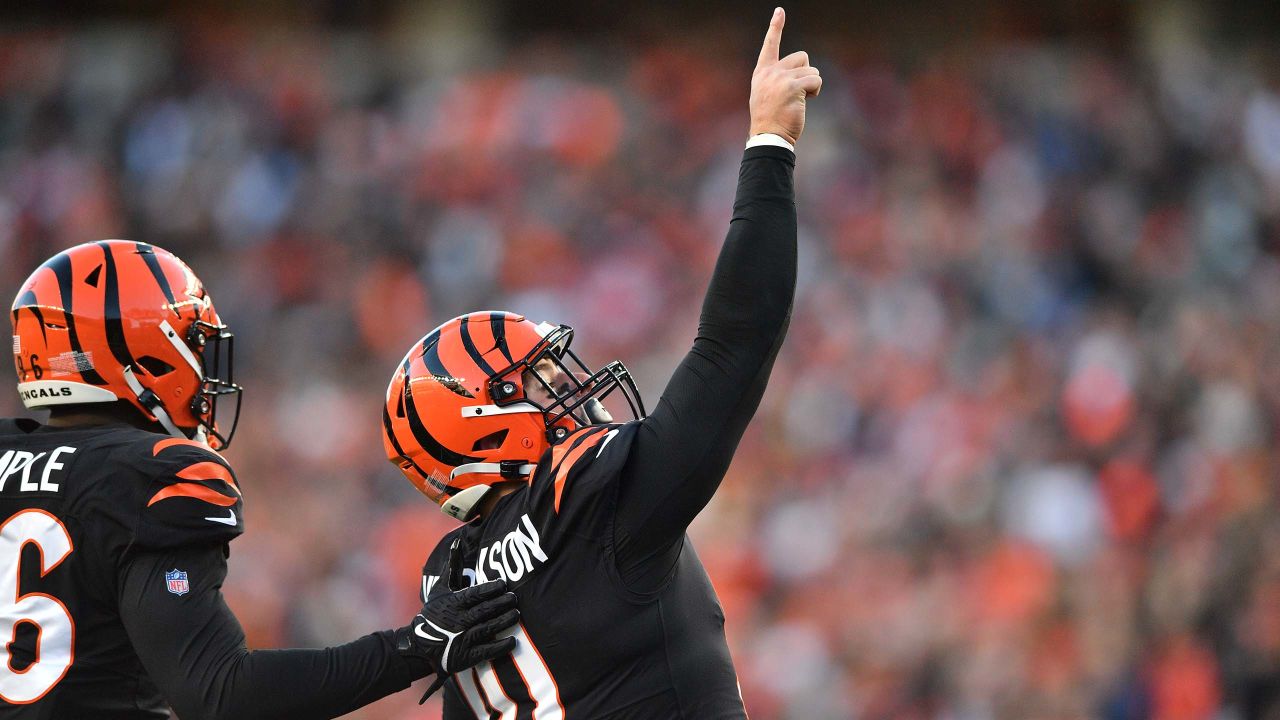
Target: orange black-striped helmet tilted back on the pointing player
(481,399)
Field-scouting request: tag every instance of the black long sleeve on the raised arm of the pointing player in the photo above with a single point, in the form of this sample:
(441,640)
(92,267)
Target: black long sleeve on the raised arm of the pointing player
(685,446)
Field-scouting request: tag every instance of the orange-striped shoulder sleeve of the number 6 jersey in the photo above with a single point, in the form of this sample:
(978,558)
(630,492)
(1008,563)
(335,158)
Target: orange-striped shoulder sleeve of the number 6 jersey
(191,495)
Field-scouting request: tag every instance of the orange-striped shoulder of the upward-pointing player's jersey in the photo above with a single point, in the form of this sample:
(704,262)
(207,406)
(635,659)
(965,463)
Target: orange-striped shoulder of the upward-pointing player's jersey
(586,461)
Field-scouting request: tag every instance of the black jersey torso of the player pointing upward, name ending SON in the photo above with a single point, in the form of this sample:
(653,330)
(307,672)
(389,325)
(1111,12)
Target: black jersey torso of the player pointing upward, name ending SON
(588,648)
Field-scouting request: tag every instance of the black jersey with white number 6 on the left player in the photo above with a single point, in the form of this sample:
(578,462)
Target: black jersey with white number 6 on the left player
(75,503)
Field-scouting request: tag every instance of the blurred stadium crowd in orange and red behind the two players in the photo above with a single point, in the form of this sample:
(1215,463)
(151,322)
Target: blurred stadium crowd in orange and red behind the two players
(1018,457)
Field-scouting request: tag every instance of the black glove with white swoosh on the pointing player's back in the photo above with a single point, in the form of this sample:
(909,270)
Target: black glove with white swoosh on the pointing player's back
(459,630)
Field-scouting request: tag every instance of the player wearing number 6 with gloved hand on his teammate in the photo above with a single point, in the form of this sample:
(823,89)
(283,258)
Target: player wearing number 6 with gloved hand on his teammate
(116,518)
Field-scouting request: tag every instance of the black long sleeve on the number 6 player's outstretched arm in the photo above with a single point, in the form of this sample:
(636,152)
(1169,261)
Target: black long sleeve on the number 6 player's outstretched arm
(194,649)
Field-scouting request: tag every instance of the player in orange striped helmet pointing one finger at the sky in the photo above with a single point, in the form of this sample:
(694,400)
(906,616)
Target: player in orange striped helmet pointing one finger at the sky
(499,421)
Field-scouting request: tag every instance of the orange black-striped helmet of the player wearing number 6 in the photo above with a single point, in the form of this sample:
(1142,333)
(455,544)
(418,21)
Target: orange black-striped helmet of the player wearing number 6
(116,321)
